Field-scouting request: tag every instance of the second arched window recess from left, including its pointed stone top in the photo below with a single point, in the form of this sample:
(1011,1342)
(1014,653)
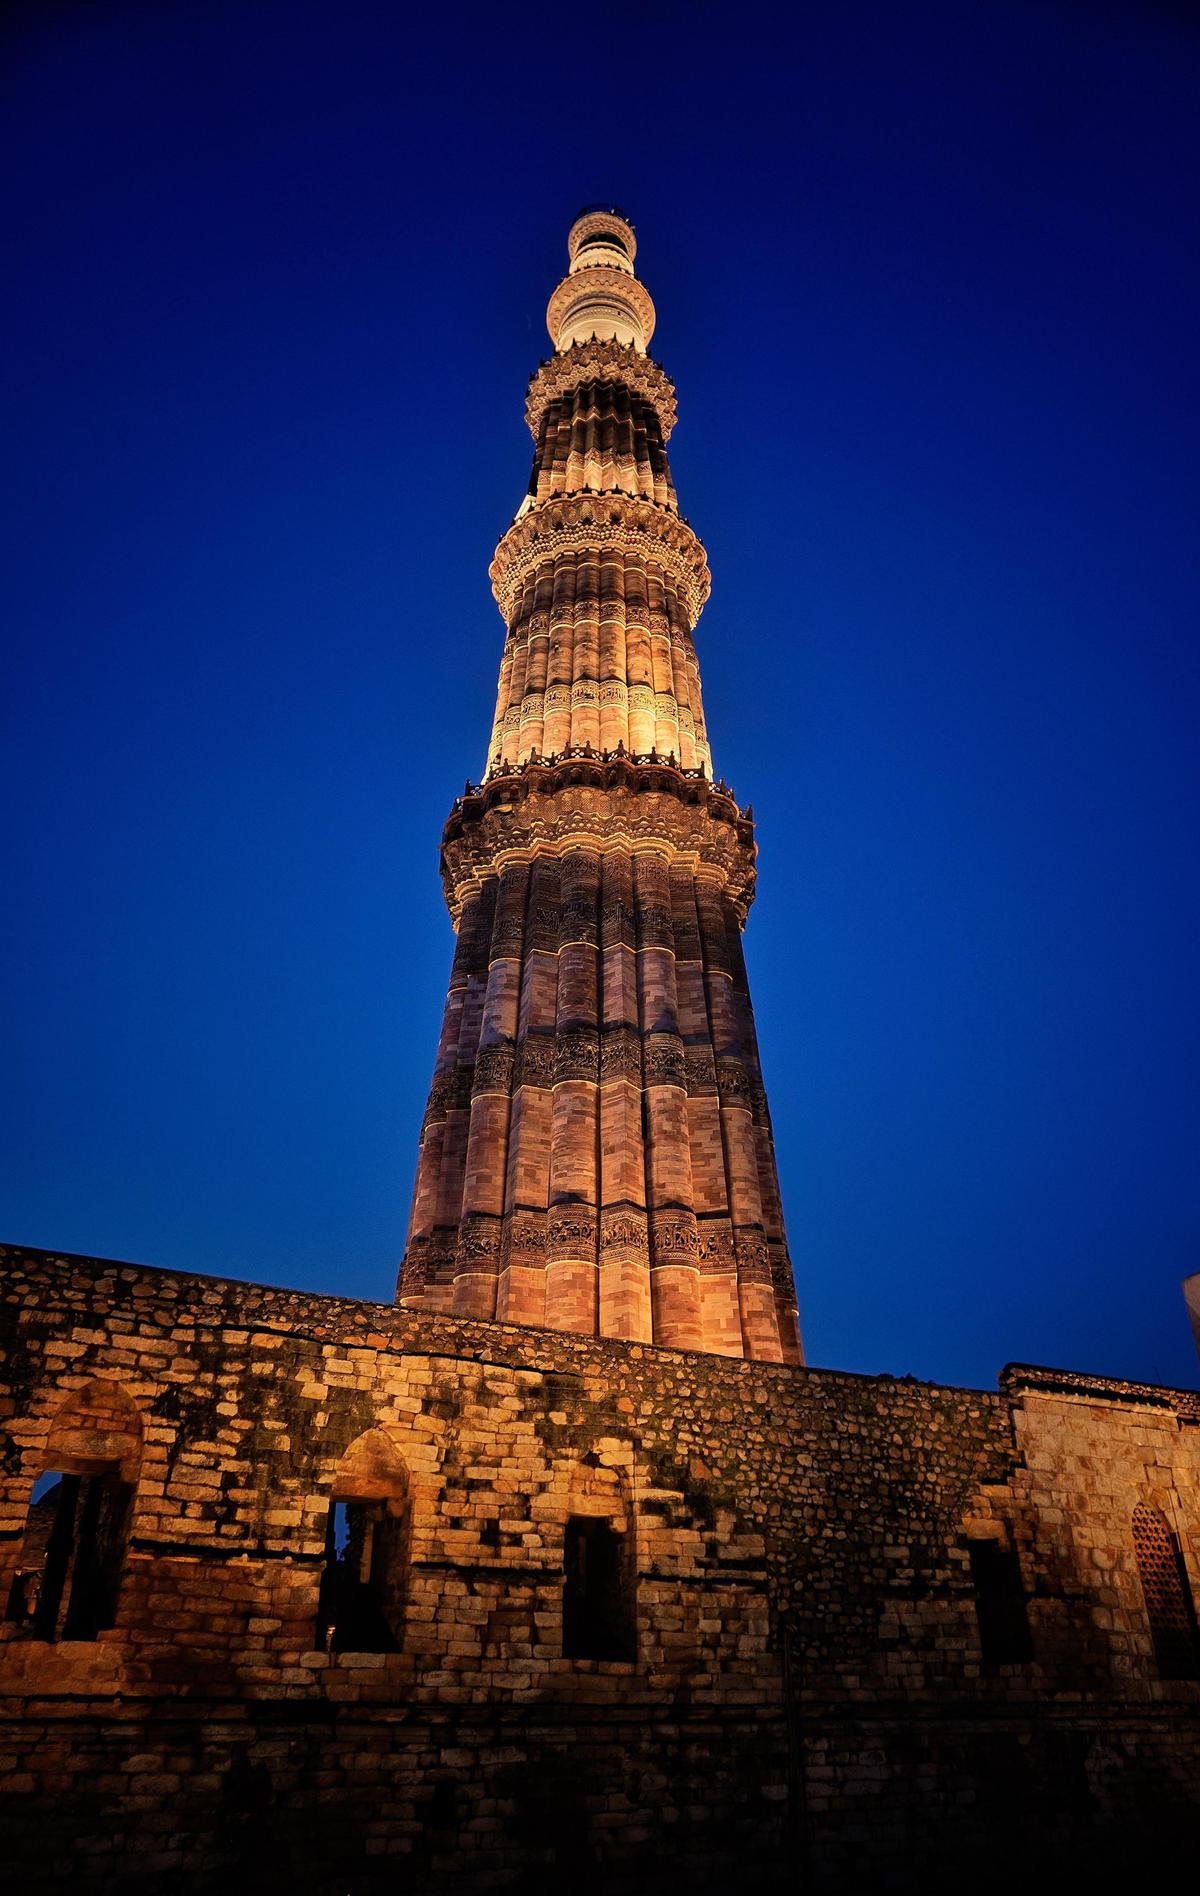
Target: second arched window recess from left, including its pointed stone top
(367,1550)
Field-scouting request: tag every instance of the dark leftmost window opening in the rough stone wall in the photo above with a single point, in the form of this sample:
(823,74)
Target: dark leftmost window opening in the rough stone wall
(71,1559)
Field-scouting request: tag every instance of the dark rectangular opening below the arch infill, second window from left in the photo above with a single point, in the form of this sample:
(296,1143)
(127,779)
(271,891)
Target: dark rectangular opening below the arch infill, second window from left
(361,1597)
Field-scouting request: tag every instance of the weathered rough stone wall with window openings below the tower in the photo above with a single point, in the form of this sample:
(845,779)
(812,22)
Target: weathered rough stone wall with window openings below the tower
(809,1700)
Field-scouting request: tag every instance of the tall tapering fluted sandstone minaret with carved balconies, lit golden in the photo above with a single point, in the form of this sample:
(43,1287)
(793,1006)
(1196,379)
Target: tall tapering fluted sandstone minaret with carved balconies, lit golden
(598,1152)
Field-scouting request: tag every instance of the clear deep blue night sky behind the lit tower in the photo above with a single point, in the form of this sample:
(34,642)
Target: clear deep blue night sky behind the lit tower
(926,278)
